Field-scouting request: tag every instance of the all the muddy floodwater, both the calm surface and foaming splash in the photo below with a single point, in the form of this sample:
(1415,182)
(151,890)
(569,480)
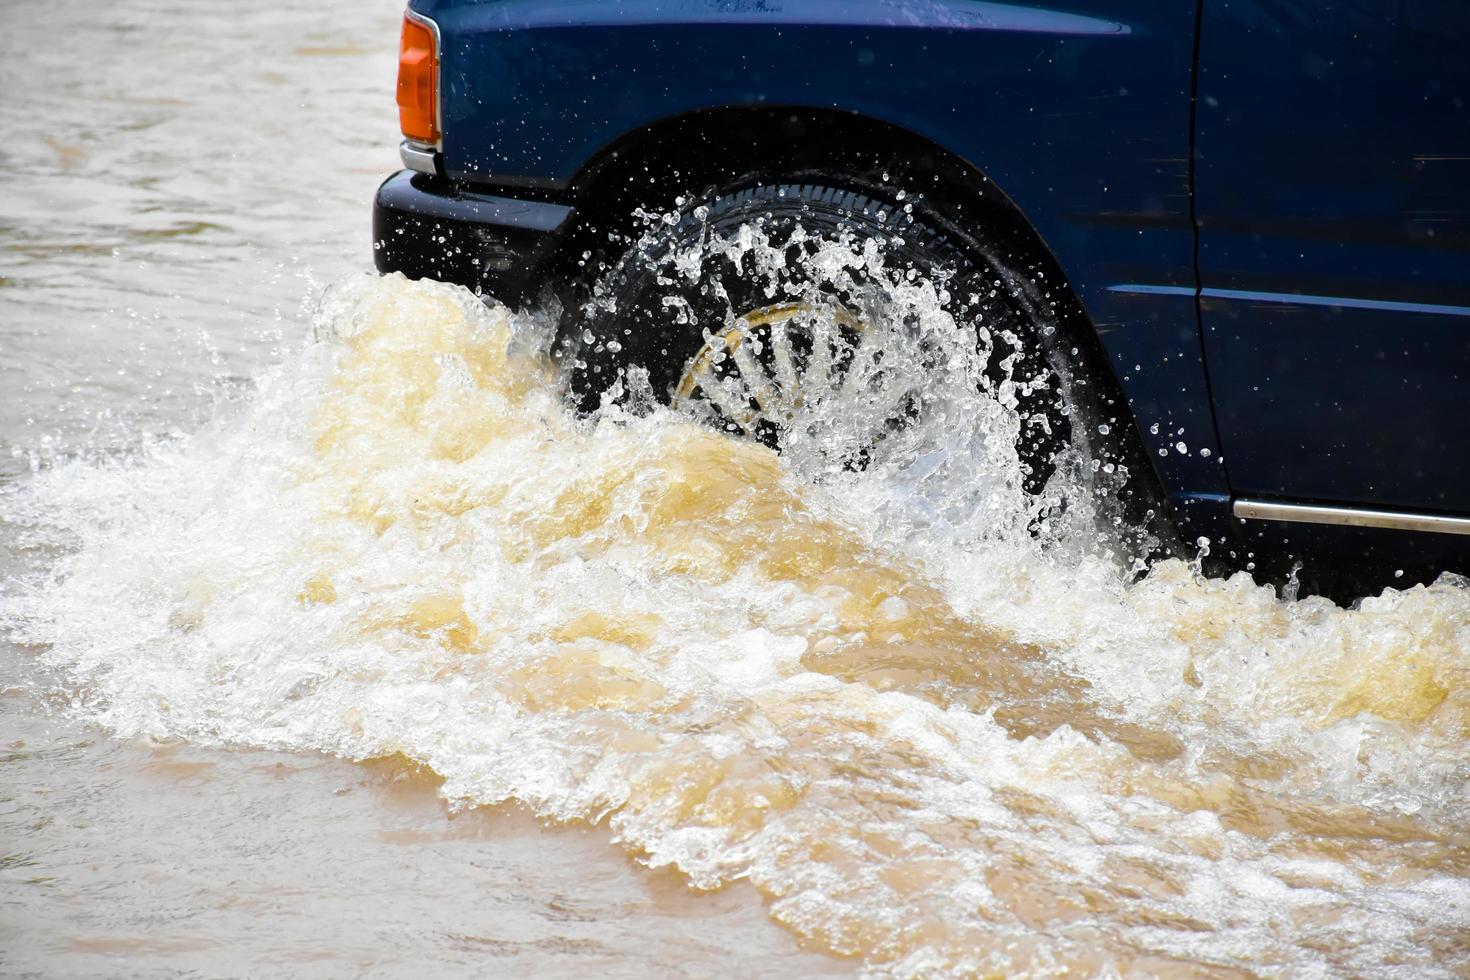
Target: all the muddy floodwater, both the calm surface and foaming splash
(337,644)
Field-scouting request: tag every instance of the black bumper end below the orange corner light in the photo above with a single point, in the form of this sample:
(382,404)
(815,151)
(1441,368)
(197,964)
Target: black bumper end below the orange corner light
(427,228)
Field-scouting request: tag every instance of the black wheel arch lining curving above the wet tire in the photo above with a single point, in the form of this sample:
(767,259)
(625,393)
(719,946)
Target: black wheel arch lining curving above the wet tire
(695,154)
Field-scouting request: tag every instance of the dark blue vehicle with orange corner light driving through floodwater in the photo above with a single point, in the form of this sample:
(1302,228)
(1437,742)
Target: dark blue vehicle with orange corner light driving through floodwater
(1230,236)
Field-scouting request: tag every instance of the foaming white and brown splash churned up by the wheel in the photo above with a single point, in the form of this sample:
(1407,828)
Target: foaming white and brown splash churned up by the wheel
(930,740)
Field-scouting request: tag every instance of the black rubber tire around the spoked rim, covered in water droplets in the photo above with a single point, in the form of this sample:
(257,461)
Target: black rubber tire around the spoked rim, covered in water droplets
(652,306)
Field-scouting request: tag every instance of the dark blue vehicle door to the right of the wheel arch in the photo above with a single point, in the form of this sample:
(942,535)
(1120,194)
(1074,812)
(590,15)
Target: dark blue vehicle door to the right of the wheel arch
(1333,202)
